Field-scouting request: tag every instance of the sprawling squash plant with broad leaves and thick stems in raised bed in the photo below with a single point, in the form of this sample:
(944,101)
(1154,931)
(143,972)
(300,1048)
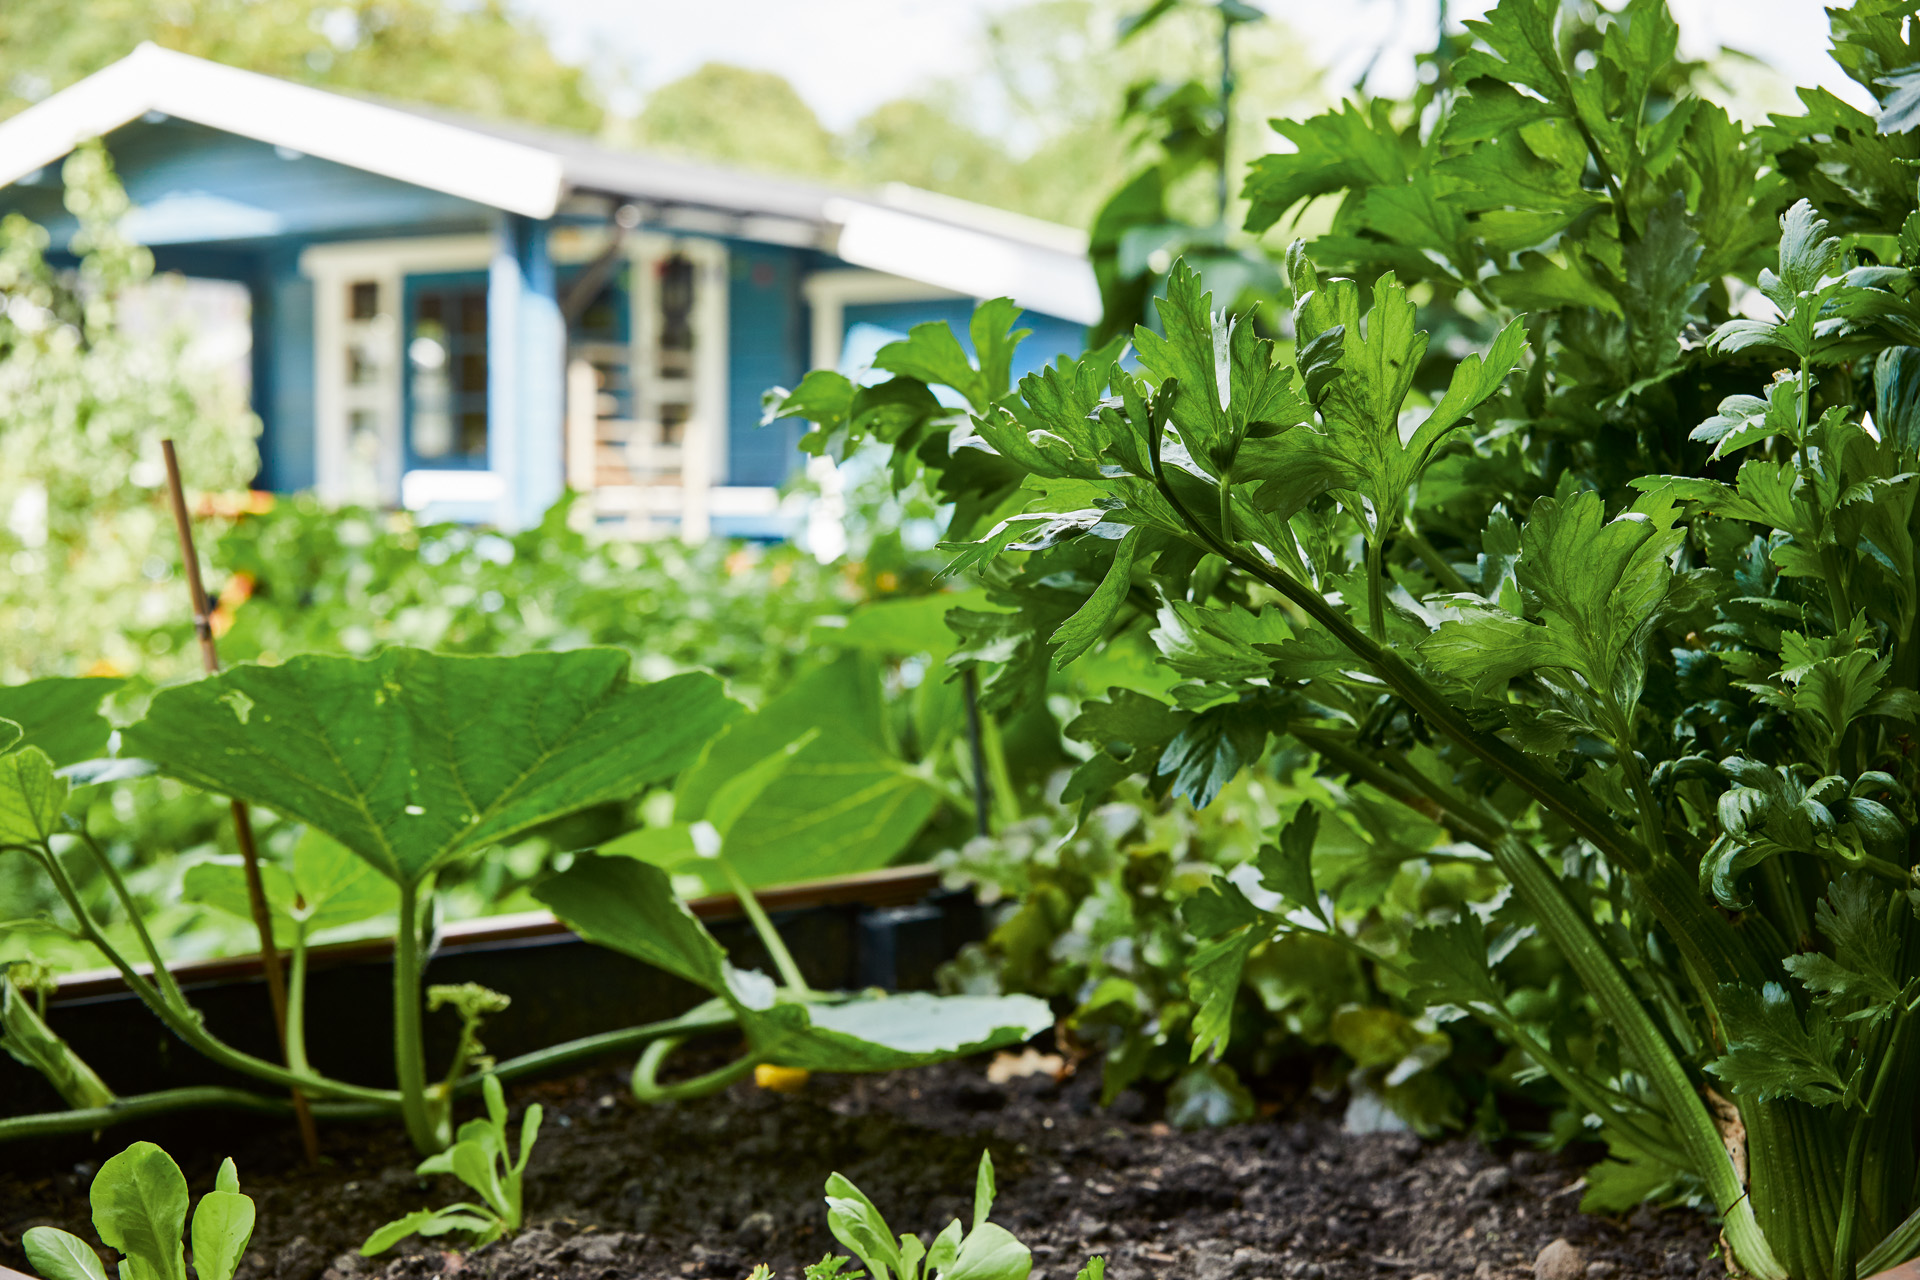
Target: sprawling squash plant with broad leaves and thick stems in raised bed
(408,763)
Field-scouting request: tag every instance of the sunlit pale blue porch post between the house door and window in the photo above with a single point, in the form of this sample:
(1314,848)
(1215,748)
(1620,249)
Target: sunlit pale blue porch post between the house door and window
(527,350)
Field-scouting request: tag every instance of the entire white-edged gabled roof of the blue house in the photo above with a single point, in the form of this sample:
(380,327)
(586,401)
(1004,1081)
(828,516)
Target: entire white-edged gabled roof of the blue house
(940,241)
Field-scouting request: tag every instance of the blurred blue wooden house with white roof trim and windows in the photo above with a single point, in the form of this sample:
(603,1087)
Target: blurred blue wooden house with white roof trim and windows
(466,318)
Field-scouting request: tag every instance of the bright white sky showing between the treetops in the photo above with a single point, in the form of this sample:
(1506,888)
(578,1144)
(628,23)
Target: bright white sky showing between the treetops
(848,57)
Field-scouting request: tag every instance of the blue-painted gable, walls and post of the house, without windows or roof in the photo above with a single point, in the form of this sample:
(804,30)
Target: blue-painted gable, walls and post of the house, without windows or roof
(218,206)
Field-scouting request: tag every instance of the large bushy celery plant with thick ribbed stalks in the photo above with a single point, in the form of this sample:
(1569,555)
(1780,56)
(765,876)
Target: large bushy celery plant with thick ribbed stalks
(1662,692)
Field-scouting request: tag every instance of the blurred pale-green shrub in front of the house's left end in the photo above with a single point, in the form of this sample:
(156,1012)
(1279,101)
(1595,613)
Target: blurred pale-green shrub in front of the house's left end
(87,569)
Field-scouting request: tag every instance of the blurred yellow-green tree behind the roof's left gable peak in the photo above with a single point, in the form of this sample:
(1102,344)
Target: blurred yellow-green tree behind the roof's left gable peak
(485,57)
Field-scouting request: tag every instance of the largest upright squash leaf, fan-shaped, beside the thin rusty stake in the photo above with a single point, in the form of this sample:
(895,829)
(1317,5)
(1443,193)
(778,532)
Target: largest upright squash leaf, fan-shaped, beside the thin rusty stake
(416,759)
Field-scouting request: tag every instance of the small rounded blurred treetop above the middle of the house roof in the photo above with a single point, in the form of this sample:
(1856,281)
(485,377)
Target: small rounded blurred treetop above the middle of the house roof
(740,118)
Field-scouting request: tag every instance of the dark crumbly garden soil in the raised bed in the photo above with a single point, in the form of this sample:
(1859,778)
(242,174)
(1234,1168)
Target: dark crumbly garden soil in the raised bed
(711,1187)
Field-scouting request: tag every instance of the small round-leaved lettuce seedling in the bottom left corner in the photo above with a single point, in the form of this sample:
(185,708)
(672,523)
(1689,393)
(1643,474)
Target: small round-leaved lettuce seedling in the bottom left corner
(141,1210)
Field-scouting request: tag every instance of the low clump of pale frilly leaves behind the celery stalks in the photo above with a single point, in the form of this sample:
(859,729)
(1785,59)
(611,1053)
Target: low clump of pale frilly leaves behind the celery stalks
(1090,913)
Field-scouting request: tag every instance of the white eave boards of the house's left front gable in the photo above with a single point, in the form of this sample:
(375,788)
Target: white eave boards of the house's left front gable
(364,135)
